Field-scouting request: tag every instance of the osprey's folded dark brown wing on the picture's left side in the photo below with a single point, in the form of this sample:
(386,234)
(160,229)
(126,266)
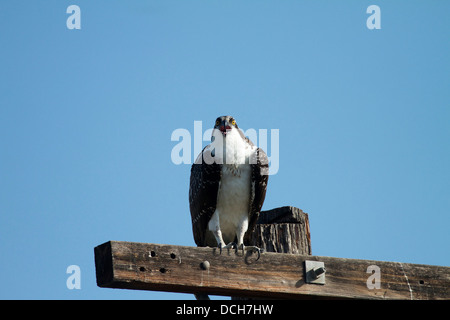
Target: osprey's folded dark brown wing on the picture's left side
(203,189)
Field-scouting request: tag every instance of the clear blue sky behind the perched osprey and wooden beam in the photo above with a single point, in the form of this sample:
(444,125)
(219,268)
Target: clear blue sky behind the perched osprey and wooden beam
(86,118)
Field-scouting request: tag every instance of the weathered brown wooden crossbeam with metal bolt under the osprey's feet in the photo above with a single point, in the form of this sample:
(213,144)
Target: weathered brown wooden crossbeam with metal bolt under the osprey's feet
(146,266)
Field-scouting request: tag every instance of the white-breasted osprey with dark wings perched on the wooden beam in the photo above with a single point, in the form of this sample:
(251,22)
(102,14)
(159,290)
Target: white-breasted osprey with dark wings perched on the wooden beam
(227,188)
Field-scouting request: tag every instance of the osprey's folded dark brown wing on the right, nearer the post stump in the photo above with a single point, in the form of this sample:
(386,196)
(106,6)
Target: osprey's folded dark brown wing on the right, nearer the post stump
(259,179)
